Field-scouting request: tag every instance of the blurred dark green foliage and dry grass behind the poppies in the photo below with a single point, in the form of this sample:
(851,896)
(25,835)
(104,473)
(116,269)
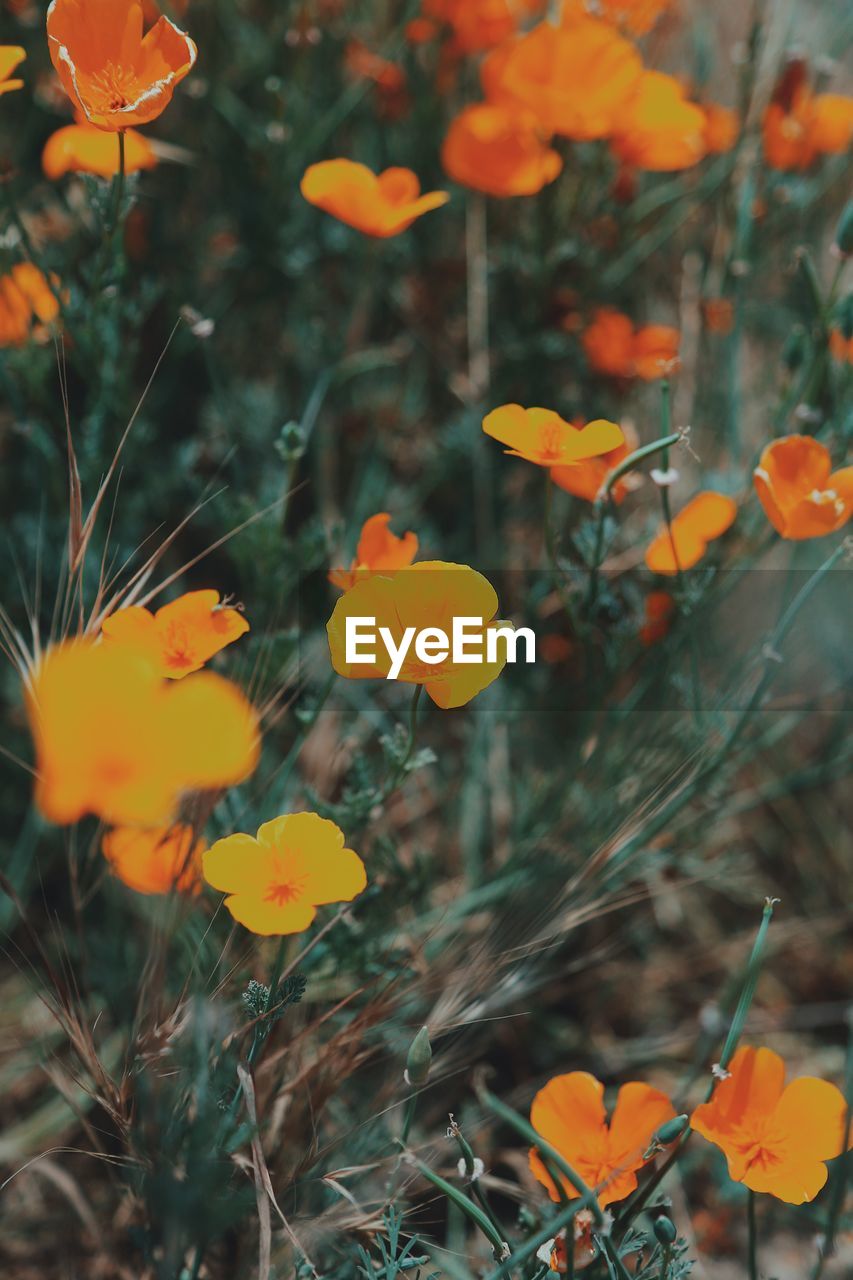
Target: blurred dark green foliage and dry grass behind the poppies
(551,888)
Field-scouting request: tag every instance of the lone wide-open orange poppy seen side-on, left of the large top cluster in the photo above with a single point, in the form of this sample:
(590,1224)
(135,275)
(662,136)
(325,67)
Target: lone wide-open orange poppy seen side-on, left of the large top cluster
(378,205)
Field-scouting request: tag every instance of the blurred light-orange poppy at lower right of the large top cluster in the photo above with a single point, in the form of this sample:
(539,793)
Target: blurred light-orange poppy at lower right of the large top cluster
(662,131)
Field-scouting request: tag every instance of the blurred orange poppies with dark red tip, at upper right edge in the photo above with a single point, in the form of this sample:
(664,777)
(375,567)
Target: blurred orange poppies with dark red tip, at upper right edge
(799,125)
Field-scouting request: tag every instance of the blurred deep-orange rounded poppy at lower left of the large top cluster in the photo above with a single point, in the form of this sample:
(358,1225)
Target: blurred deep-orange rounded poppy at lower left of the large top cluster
(499,150)
